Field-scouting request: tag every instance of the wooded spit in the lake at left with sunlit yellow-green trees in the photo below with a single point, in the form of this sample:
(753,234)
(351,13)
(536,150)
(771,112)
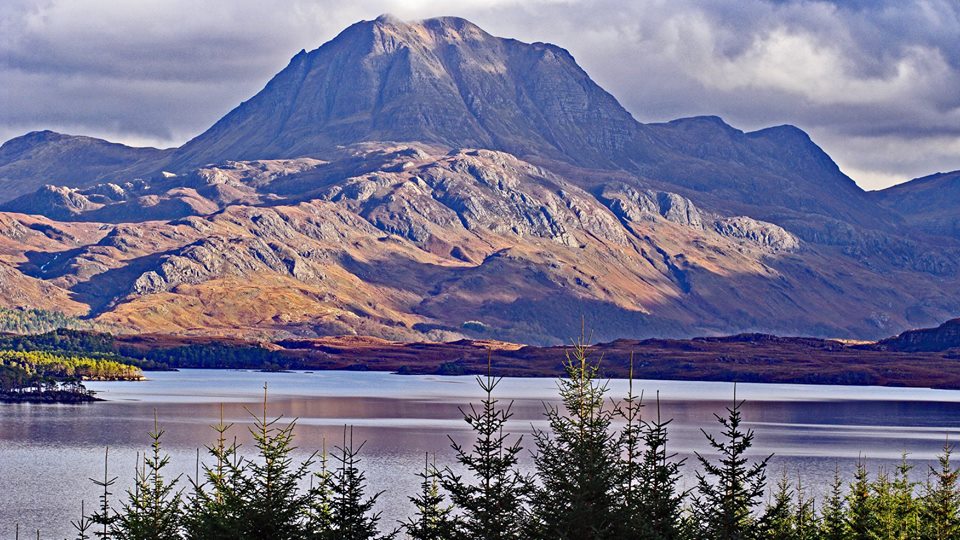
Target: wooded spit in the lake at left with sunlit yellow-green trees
(57,377)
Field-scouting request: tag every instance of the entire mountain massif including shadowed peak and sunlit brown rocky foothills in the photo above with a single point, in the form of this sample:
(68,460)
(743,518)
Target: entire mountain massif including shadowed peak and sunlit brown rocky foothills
(425,179)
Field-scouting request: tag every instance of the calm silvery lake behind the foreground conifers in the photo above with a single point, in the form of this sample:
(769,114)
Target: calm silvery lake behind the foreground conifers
(48,453)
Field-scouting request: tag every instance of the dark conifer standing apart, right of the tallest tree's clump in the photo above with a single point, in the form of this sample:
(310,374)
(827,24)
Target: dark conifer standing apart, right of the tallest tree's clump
(729,491)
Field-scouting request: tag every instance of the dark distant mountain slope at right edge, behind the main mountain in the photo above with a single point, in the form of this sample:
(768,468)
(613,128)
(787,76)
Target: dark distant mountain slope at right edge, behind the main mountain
(931,203)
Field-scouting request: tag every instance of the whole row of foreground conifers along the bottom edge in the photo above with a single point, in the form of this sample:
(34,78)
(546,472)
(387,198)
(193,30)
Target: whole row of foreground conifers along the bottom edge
(602,471)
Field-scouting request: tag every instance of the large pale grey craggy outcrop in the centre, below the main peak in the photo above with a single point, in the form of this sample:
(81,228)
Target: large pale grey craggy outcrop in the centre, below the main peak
(476,190)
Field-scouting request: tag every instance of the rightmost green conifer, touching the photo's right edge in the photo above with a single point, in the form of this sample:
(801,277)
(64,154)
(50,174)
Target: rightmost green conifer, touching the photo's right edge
(940,506)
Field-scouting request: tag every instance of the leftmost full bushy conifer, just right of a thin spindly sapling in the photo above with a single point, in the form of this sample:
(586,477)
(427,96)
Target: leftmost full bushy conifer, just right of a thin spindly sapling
(153,508)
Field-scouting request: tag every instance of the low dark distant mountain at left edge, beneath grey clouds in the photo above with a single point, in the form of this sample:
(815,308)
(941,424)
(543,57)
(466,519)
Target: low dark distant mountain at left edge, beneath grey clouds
(46,157)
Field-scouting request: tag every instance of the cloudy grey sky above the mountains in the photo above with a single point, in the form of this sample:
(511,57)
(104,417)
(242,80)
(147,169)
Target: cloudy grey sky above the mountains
(875,82)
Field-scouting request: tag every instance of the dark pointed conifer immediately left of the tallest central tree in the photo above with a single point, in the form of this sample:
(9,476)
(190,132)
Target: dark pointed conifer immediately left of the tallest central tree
(492,501)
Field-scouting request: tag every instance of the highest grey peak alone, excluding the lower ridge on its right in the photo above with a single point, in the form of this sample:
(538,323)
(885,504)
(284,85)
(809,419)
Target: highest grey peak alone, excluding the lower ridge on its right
(441,81)
